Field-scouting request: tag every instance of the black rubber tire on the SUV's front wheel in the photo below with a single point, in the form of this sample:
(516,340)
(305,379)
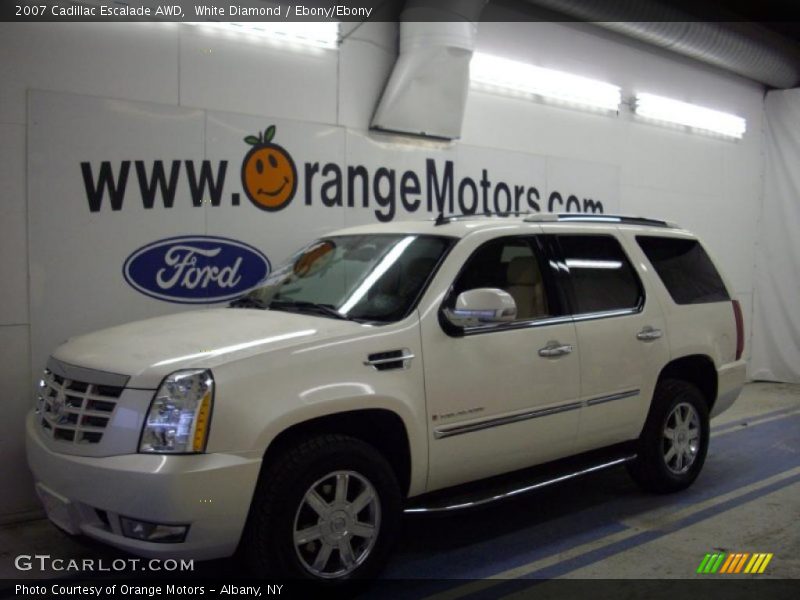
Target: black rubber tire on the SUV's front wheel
(279,506)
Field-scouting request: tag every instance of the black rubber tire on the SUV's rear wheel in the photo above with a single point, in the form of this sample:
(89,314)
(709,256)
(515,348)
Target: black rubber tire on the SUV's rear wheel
(652,470)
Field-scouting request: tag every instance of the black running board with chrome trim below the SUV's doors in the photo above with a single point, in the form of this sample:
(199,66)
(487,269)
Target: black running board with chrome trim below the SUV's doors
(484,492)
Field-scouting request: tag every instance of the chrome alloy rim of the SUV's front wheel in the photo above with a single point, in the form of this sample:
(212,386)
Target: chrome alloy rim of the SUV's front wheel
(337,524)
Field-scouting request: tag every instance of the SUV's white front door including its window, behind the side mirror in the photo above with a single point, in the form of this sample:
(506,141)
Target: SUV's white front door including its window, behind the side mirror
(501,397)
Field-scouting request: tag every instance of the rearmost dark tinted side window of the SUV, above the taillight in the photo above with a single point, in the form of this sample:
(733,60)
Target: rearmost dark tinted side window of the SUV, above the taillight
(685,268)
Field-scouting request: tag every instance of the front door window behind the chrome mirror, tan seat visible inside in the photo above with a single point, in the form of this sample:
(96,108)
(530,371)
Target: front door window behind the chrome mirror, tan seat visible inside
(510,265)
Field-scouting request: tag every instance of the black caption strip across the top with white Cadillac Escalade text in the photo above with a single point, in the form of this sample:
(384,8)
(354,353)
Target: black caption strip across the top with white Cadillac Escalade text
(764,11)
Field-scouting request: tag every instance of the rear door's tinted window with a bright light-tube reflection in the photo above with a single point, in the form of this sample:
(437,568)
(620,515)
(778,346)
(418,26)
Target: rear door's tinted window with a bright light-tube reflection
(602,277)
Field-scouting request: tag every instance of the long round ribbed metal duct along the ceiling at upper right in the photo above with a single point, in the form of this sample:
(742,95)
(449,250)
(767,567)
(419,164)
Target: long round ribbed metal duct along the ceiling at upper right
(741,48)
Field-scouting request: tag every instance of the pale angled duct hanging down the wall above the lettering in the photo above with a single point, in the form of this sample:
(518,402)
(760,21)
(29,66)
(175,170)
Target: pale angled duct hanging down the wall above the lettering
(427,90)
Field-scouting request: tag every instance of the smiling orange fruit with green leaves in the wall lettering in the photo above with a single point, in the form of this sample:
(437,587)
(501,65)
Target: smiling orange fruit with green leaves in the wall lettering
(269,177)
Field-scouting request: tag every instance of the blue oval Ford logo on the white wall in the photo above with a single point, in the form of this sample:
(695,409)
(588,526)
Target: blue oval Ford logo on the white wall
(195,269)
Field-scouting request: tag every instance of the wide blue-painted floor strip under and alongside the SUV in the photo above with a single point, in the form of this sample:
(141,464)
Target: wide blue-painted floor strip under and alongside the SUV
(488,541)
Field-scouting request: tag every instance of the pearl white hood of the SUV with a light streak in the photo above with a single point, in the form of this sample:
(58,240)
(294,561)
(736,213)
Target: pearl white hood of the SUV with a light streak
(149,350)
